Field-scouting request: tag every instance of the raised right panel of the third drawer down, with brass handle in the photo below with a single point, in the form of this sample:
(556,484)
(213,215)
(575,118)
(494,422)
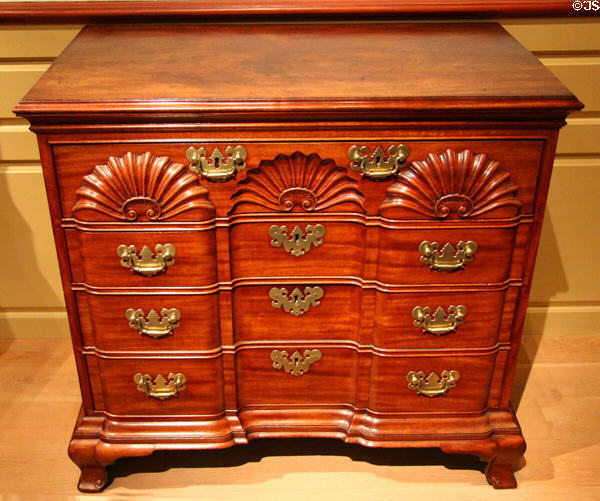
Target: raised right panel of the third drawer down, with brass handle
(466,319)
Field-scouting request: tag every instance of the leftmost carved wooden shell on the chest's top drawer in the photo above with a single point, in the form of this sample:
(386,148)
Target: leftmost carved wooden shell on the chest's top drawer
(140,187)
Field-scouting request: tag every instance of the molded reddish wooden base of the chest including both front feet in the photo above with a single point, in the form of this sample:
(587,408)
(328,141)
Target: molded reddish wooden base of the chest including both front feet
(495,437)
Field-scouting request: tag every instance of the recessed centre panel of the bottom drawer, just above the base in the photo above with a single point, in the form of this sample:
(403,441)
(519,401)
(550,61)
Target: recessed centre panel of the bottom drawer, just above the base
(332,379)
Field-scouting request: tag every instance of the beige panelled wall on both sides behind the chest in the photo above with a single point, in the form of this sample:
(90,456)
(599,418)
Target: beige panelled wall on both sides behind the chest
(566,290)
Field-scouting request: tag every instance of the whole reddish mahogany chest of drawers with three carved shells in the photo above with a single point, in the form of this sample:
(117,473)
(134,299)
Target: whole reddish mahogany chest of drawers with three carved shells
(296,231)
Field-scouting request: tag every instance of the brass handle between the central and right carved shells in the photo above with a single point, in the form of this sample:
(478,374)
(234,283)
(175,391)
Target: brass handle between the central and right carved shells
(378,166)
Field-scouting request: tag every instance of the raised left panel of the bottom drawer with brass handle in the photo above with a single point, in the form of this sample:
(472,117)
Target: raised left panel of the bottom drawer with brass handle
(202,395)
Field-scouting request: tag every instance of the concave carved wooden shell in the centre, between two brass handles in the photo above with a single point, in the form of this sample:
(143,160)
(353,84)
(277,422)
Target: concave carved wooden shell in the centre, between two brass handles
(297,182)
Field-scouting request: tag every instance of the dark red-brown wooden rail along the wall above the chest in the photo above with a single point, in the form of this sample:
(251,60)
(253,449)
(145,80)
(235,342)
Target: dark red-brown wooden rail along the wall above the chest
(200,10)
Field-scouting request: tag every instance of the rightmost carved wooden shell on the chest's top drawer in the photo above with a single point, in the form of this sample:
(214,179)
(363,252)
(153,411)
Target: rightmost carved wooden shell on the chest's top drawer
(452,185)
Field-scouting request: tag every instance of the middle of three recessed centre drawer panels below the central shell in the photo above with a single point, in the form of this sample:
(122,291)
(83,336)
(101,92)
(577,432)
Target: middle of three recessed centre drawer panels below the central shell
(336,316)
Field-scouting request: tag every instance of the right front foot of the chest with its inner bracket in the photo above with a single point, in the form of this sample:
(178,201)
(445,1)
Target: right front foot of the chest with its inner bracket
(502,453)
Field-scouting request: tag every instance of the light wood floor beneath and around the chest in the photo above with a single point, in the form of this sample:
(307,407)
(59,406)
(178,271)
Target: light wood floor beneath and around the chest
(558,401)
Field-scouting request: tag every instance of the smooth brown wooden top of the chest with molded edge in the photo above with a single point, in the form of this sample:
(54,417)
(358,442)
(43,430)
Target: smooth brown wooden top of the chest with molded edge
(385,70)
